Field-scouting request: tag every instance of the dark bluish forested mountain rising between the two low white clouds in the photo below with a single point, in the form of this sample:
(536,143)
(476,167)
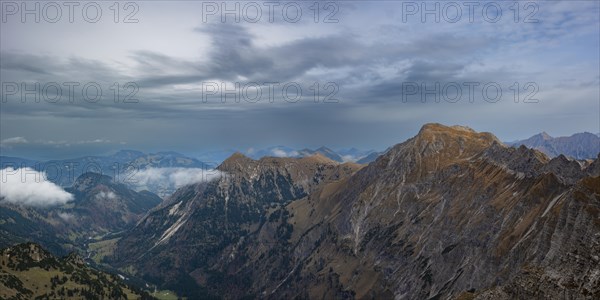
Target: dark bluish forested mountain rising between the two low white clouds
(100,206)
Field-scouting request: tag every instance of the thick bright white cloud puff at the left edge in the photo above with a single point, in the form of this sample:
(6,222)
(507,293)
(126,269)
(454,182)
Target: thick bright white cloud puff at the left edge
(29,187)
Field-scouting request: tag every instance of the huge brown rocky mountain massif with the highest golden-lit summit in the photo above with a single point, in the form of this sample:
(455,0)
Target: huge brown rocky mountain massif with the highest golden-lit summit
(450,213)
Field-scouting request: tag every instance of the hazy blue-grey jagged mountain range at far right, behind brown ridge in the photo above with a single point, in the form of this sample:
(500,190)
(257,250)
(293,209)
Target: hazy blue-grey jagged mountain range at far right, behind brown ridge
(580,145)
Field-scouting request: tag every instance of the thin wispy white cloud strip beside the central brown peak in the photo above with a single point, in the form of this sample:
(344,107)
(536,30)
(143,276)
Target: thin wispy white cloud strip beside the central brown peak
(176,177)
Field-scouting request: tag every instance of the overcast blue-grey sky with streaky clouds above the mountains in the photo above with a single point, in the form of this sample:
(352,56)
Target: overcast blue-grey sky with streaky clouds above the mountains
(373,57)
